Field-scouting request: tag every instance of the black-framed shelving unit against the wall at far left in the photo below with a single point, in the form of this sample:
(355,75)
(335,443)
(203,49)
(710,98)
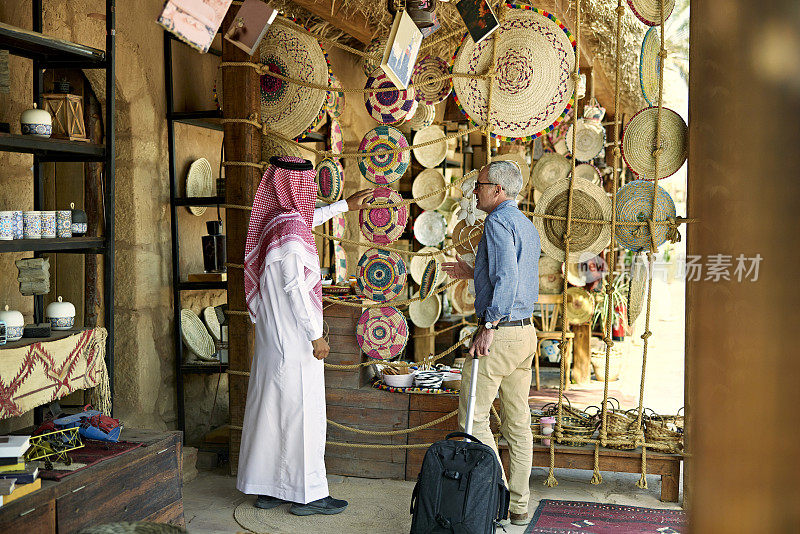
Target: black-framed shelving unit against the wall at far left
(51,53)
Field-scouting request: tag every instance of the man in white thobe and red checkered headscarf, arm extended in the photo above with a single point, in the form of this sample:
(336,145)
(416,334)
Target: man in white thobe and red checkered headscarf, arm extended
(282,454)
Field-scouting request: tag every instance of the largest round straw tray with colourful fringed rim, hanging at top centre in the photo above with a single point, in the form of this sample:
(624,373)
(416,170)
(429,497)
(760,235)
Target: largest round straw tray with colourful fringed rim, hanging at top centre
(533,88)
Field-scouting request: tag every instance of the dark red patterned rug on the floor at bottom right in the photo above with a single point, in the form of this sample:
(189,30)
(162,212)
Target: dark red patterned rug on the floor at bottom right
(575,517)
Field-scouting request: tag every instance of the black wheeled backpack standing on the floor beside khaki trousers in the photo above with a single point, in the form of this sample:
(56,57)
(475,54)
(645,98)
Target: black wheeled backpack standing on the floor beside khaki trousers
(459,489)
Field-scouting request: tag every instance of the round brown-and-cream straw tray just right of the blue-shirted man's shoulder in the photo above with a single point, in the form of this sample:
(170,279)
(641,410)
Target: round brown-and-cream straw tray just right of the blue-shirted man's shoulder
(588,202)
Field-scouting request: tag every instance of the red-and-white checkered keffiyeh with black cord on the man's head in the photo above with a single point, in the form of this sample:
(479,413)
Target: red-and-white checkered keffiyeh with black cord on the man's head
(280,225)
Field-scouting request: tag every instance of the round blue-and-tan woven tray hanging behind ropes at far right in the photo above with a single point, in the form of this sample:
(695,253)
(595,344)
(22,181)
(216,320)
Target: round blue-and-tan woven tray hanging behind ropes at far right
(634,203)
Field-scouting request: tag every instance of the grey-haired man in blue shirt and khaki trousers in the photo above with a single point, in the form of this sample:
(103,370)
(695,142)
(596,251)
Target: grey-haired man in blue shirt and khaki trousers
(506,289)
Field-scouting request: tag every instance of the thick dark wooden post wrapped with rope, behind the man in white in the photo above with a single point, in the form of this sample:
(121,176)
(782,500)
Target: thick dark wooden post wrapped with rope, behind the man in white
(242,143)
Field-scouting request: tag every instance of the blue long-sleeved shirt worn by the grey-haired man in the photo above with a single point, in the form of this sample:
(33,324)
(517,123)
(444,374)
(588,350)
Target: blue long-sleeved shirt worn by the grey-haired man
(507,266)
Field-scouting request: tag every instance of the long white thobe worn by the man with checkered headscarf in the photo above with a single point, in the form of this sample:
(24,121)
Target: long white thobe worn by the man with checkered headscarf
(282,453)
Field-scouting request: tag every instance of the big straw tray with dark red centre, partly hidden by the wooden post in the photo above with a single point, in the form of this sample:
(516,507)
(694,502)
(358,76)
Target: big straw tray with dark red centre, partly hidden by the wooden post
(294,55)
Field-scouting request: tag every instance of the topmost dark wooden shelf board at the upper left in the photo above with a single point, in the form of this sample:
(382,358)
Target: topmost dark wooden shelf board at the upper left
(52,52)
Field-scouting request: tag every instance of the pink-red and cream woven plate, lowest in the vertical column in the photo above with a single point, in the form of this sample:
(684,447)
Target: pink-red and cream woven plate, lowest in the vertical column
(382,332)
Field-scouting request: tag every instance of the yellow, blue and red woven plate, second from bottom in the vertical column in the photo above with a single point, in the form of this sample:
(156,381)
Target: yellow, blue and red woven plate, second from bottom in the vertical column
(381,275)
